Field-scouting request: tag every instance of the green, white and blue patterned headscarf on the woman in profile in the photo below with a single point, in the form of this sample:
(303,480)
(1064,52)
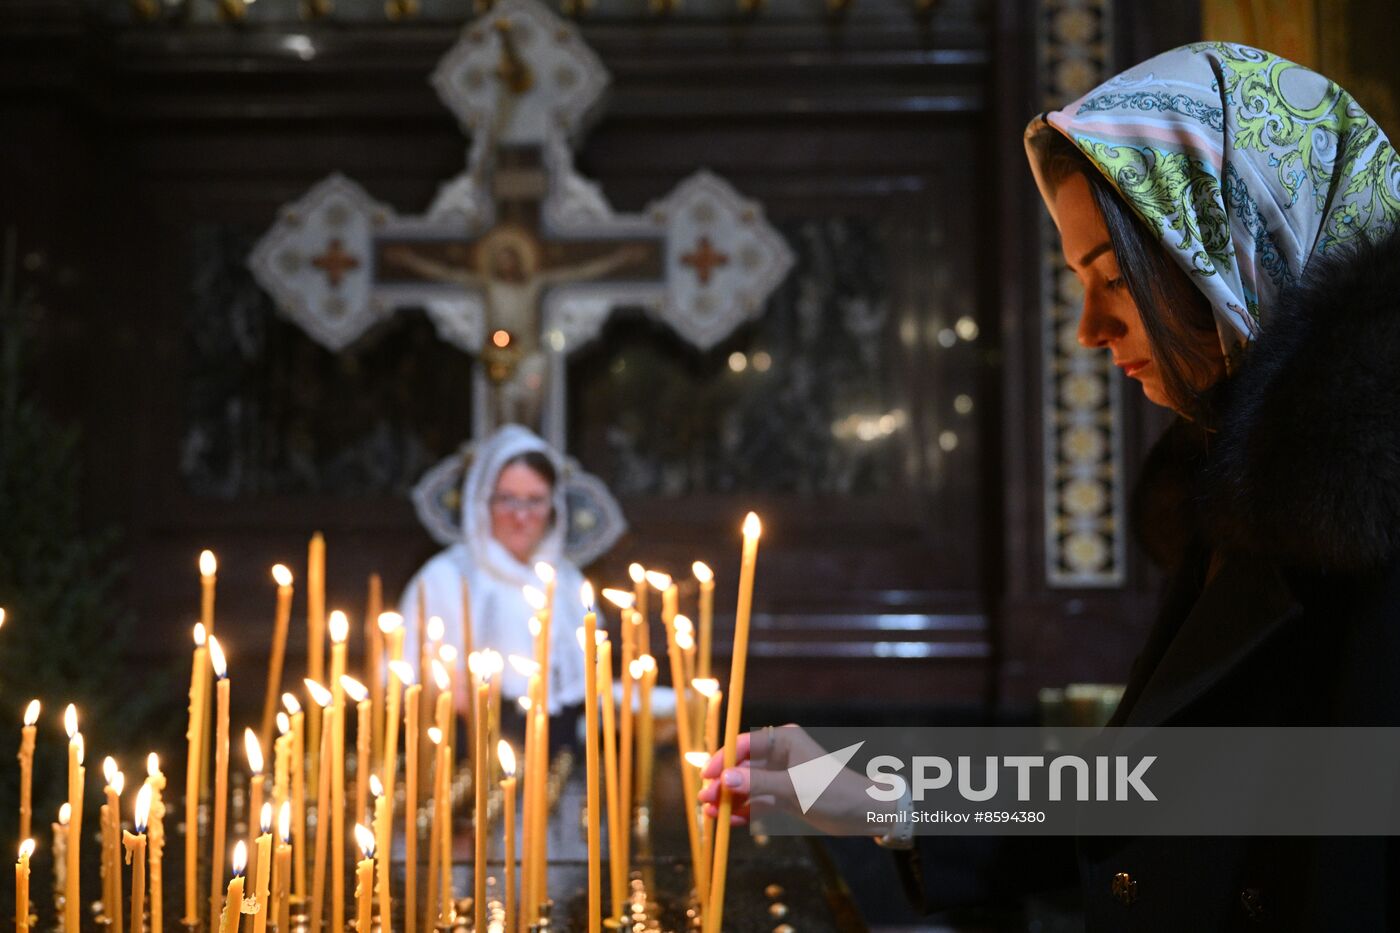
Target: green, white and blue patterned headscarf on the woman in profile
(1245,165)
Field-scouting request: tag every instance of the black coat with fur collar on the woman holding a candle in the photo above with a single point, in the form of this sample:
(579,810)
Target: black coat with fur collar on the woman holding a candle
(1282,534)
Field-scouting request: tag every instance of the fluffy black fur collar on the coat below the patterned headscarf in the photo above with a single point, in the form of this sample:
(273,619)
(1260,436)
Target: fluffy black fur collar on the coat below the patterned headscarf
(1305,462)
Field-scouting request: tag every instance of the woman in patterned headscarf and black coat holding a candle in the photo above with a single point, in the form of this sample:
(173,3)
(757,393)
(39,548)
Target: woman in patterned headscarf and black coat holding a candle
(1233,221)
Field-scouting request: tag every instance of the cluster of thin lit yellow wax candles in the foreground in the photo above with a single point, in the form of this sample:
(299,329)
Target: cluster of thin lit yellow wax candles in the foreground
(621,757)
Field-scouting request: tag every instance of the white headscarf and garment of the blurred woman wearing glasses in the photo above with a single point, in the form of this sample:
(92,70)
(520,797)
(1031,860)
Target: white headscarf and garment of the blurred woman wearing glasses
(495,578)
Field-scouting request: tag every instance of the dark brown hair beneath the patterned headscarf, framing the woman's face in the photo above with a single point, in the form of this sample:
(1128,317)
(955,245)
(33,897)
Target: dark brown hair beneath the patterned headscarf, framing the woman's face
(1174,310)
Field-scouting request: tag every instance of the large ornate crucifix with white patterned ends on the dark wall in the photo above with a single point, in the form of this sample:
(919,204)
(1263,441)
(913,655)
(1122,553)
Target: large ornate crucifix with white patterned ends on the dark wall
(520,260)
